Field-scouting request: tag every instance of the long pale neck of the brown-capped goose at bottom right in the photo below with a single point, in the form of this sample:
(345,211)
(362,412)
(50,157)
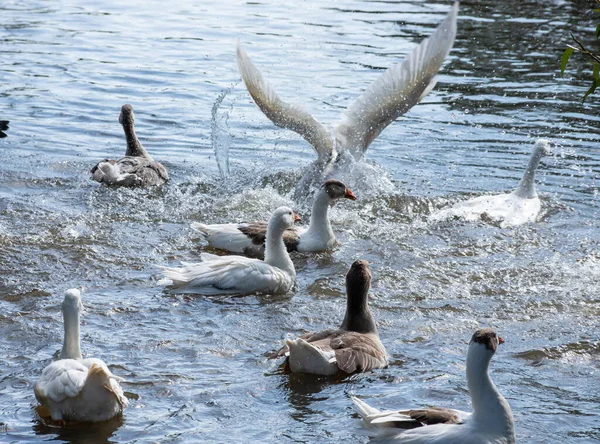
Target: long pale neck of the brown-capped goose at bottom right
(489,406)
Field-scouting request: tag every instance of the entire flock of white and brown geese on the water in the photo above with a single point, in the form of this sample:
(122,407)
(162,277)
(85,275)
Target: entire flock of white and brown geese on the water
(77,389)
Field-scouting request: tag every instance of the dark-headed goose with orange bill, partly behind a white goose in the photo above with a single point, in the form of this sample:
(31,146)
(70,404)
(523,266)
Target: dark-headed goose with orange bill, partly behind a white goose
(249,238)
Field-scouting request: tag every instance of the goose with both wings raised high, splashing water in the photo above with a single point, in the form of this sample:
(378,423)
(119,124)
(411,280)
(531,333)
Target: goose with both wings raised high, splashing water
(396,91)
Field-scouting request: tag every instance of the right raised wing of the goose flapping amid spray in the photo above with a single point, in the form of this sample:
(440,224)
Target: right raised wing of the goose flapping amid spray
(396,91)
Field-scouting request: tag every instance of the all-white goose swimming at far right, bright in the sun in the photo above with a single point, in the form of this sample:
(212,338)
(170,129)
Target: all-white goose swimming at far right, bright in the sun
(511,209)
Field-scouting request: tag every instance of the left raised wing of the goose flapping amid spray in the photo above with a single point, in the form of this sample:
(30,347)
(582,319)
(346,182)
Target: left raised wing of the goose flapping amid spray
(280,113)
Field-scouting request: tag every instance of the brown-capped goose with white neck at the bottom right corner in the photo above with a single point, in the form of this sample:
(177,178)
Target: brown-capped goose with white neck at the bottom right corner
(490,422)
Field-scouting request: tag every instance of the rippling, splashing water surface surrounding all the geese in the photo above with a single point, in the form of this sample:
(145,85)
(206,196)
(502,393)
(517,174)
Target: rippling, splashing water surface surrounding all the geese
(195,366)
